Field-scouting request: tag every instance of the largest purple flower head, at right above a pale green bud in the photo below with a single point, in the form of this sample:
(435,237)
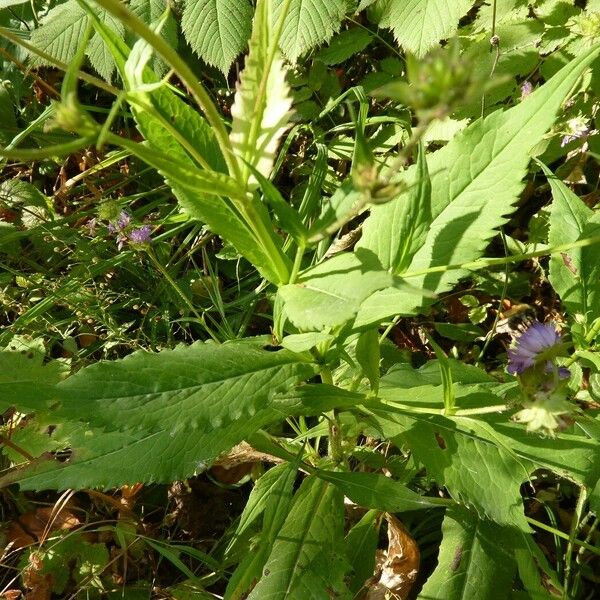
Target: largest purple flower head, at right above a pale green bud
(532,347)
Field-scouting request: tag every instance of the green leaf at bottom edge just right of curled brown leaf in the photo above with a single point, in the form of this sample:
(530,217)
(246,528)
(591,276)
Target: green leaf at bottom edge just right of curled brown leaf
(475,560)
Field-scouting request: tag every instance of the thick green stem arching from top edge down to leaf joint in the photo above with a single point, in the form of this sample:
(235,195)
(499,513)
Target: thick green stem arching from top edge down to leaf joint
(119,10)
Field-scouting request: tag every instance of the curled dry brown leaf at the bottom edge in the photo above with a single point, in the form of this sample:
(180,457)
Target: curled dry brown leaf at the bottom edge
(397,568)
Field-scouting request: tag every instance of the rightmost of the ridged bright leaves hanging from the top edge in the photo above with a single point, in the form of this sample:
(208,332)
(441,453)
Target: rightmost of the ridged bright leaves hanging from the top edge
(419,24)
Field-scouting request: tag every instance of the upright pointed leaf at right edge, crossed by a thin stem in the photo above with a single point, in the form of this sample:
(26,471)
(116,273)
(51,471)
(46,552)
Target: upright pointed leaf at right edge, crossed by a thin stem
(574,274)
